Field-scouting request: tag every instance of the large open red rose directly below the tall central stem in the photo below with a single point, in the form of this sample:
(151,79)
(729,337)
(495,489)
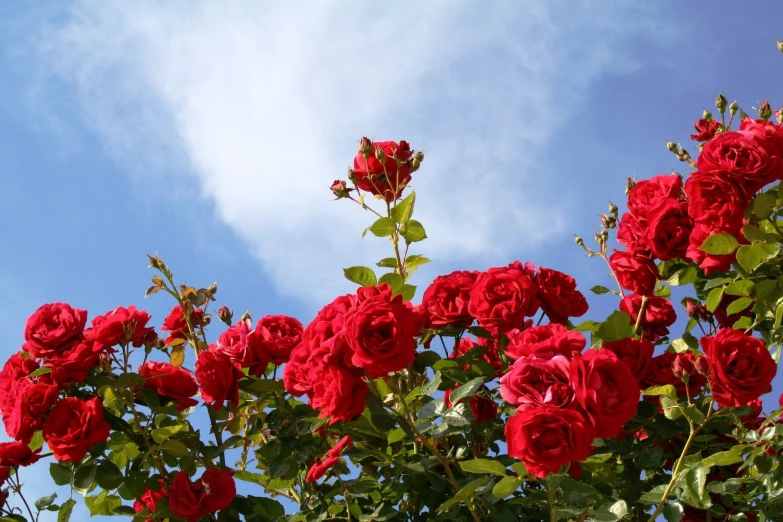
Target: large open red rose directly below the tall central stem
(380,331)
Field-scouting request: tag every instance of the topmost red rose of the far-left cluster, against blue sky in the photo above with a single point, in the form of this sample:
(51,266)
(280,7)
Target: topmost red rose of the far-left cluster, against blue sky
(52,326)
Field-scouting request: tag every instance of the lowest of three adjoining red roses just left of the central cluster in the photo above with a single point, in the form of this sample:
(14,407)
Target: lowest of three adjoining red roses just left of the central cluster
(218,377)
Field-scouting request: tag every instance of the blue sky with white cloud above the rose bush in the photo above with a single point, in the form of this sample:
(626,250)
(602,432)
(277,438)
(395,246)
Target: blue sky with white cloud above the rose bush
(210,133)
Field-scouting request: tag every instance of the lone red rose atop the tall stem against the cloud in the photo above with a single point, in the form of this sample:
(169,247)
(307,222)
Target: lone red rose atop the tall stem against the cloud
(387,170)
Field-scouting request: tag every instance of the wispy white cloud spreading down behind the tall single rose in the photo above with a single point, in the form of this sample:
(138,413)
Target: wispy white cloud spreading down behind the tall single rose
(265,103)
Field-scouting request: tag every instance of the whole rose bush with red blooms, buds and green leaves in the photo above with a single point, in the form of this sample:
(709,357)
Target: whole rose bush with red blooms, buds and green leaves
(527,414)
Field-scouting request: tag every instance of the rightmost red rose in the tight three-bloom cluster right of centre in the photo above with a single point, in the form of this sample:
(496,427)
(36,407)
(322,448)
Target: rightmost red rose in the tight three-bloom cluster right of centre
(606,389)
